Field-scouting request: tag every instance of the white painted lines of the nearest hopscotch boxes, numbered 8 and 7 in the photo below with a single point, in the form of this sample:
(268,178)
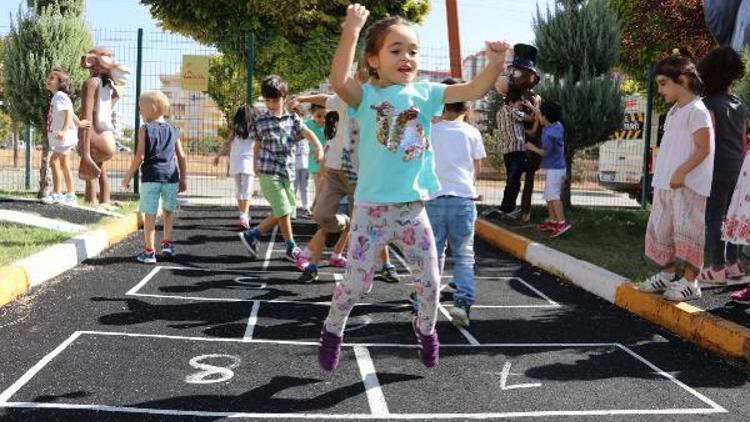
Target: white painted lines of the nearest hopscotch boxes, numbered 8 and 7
(368,374)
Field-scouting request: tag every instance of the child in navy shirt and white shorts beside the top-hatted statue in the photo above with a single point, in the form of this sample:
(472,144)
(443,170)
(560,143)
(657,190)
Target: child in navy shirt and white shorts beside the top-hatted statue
(553,161)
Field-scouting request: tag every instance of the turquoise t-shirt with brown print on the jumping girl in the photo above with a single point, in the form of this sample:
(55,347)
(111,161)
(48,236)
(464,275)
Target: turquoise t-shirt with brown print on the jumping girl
(396,162)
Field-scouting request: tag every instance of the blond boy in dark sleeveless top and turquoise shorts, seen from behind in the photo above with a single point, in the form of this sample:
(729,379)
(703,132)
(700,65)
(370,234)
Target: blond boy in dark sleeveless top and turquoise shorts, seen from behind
(163,165)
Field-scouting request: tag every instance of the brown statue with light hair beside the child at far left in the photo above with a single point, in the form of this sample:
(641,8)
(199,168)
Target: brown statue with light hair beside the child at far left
(96,145)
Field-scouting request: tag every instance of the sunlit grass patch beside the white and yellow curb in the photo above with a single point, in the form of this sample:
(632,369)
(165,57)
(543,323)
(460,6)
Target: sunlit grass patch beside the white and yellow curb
(18,241)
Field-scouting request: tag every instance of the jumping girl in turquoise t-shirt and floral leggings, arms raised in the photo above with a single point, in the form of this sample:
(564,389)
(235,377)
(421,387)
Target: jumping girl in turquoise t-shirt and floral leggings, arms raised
(396,167)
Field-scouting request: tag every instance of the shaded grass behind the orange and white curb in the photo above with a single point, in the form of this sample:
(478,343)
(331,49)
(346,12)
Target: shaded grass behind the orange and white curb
(610,238)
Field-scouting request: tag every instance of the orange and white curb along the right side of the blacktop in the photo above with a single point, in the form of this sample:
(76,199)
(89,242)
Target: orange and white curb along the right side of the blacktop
(690,322)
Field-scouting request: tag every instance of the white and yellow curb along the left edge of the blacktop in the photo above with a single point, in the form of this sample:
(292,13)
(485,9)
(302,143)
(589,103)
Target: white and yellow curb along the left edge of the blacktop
(18,277)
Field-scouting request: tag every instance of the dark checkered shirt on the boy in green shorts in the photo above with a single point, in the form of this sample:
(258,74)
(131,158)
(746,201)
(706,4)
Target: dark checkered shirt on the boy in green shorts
(277,136)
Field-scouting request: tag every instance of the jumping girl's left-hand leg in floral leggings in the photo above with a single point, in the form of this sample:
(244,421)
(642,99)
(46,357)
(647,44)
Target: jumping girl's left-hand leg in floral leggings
(360,272)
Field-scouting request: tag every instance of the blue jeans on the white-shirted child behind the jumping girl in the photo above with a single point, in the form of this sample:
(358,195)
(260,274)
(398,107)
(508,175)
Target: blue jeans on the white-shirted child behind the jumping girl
(452,219)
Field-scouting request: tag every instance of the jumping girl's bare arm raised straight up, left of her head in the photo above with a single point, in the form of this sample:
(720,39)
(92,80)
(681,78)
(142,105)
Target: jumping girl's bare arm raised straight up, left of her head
(343,84)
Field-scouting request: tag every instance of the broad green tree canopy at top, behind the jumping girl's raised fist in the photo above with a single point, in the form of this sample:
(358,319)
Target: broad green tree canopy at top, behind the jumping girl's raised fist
(295,38)
